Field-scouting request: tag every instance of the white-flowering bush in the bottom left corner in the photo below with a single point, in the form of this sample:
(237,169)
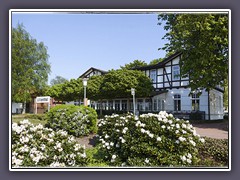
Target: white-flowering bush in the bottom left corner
(38,146)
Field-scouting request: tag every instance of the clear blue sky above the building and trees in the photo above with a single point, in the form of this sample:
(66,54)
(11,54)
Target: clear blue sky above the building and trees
(77,42)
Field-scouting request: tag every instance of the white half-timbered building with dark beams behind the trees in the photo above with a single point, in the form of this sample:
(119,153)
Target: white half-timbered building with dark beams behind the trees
(171,94)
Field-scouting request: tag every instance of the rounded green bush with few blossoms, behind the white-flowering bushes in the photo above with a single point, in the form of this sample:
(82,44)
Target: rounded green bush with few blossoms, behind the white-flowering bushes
(76,120)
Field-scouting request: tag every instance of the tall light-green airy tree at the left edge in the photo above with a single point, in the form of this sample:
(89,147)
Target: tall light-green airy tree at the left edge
(30,66)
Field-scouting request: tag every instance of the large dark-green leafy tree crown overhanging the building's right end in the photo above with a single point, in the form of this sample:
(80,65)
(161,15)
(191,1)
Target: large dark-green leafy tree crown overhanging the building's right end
(203,41)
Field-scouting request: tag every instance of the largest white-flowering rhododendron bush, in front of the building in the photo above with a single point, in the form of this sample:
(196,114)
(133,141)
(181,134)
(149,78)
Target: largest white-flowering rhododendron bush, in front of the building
(150,140)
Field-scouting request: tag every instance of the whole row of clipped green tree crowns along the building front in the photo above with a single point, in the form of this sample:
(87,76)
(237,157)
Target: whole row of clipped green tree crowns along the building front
(115,84)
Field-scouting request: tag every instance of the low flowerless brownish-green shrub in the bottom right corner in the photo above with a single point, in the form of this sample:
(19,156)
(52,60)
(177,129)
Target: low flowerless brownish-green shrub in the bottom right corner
(214,152)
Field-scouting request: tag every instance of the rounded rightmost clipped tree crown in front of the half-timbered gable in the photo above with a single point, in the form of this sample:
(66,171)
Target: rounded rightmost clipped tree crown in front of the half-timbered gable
(118,84)
